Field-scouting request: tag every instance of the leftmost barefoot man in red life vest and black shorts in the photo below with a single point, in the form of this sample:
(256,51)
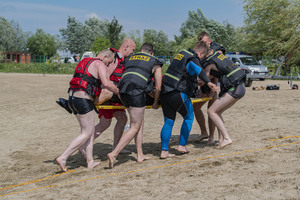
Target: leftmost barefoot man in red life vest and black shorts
(90,76)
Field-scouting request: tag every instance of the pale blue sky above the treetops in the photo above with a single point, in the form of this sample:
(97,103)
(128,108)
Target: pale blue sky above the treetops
(165,15)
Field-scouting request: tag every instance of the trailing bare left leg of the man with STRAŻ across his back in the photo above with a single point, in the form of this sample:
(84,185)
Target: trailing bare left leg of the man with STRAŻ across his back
(136,118)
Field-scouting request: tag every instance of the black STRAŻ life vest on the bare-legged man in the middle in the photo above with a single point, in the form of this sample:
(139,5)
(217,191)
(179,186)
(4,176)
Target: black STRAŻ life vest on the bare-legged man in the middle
(137,77)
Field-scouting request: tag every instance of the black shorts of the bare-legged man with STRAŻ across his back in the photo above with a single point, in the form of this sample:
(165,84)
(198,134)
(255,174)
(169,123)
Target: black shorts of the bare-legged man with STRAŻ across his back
(138,101)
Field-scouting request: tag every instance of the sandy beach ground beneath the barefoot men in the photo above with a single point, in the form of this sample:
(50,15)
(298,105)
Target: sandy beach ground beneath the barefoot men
(35,130)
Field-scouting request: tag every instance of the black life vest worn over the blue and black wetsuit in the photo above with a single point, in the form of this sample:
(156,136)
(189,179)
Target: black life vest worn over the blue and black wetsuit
(178,78)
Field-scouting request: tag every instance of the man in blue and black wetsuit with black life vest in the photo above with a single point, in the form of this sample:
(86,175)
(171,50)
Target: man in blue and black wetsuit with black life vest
(179,84)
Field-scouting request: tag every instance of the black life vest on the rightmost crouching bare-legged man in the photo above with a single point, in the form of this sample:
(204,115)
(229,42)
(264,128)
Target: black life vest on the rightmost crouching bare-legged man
(228,73)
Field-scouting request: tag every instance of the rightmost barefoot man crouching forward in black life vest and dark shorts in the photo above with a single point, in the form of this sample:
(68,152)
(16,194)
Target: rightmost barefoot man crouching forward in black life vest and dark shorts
(232,88)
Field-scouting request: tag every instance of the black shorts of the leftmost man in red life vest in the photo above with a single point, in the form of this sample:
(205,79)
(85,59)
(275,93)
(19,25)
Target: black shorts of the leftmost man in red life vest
(80,105)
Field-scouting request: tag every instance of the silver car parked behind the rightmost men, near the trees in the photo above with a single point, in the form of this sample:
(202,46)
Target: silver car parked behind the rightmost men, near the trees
(250,63)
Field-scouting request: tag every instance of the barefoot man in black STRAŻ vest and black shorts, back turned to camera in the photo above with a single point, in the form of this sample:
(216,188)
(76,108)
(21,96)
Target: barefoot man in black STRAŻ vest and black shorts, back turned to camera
(134,85)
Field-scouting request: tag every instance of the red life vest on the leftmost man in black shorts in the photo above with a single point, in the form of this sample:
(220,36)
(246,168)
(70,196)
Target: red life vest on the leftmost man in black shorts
(84,81)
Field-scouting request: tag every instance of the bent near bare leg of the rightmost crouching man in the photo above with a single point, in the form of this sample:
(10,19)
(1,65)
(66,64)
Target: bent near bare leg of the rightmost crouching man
(214,114)
